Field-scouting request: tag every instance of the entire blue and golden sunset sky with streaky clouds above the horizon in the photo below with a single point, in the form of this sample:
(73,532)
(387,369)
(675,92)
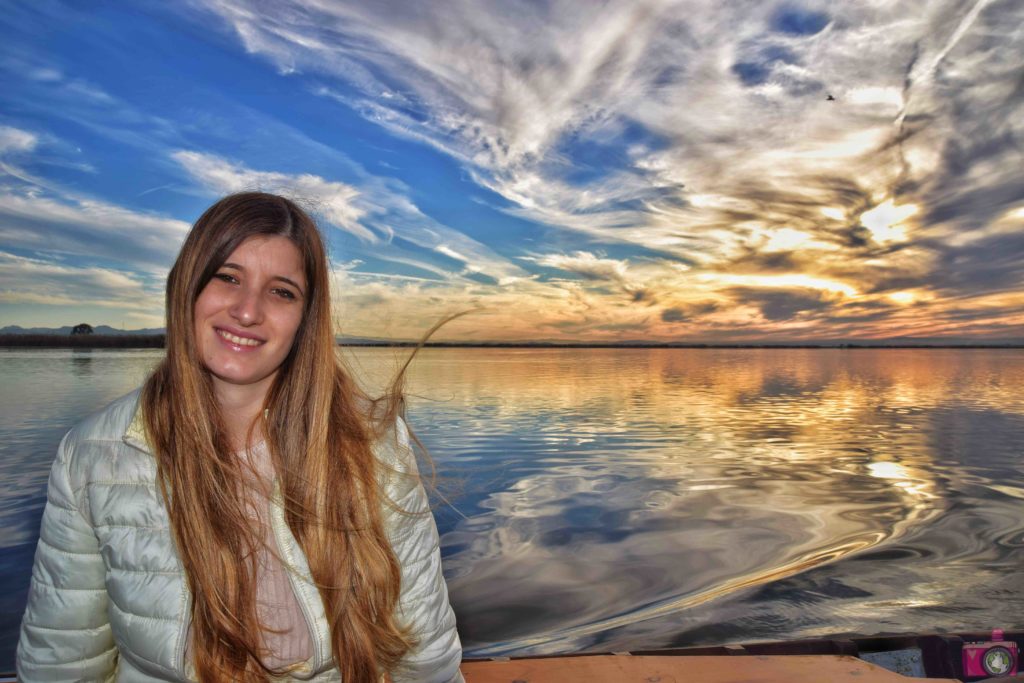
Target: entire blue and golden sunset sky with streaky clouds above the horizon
(568,172)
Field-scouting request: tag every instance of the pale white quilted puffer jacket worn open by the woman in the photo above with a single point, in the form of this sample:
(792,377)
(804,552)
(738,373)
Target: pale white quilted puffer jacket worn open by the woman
(109,597)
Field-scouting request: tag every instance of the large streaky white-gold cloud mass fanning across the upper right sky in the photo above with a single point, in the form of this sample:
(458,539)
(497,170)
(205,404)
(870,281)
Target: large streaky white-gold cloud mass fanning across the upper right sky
(701,132)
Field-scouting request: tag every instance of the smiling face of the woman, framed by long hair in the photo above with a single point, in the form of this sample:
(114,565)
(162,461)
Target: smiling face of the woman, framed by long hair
(247,316)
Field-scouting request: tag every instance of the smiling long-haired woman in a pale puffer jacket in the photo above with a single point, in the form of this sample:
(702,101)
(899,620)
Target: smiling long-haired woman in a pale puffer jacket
(247,514)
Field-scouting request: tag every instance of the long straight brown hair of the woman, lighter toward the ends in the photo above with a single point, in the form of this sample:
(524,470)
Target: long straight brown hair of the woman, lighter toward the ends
(319,430)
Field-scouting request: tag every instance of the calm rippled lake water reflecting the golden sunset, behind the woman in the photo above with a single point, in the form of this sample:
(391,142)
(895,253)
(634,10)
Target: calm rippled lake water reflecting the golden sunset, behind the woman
(615,500)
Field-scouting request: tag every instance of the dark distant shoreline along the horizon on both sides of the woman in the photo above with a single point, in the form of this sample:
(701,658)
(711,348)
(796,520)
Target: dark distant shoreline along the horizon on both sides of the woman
(157,341)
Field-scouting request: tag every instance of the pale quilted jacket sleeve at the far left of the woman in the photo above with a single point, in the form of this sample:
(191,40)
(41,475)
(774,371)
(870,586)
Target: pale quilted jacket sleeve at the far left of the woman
(65,633)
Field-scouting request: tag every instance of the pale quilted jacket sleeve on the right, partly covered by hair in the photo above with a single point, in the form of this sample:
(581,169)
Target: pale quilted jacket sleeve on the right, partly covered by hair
(424,603)
